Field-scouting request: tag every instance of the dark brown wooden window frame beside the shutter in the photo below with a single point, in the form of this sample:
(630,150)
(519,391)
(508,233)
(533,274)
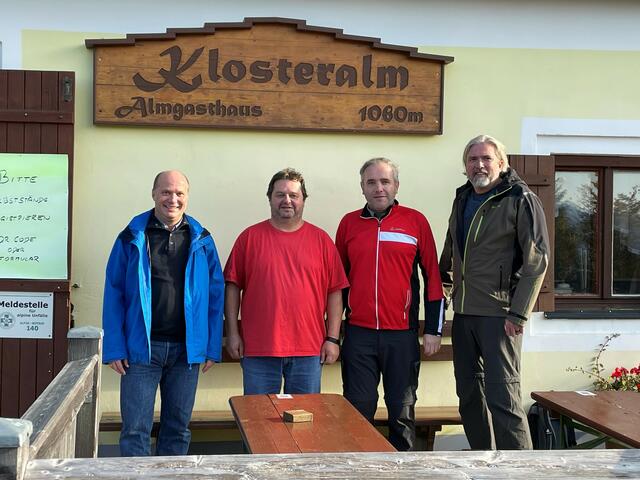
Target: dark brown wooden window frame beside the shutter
(604,165)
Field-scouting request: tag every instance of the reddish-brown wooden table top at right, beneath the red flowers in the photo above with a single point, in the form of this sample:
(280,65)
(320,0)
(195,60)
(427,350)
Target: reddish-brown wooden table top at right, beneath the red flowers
(613,413)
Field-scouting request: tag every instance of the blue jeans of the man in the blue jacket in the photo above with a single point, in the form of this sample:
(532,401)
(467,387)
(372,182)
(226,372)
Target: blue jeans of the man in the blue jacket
(178,381)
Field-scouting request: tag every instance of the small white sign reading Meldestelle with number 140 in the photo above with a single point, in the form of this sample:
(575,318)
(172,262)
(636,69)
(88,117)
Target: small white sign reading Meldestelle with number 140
(26,315)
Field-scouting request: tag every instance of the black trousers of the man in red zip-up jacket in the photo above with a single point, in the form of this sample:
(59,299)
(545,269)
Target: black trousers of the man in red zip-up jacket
(394,354)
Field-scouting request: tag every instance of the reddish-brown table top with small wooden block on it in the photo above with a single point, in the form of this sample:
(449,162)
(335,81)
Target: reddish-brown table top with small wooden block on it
(336,427)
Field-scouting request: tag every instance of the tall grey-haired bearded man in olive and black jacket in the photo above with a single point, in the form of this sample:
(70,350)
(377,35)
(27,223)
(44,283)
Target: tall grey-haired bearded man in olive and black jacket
(492,266)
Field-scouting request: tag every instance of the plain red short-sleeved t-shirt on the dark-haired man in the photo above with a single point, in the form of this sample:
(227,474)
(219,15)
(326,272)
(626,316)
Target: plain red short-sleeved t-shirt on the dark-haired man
(285,278)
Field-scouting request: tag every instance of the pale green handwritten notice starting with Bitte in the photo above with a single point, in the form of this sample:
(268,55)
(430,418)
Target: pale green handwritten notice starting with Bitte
(33,216)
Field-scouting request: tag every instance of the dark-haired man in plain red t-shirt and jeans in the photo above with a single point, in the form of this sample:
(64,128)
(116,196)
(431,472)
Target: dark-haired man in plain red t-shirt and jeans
(283,275)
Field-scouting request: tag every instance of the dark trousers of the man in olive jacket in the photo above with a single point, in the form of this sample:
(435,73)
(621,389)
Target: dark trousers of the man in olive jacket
(486,363)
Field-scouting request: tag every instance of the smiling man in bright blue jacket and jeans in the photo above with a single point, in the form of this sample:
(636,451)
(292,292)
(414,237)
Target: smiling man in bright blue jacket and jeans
(162,317)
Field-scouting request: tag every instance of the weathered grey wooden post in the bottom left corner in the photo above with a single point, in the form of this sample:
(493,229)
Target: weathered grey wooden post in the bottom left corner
(14,447)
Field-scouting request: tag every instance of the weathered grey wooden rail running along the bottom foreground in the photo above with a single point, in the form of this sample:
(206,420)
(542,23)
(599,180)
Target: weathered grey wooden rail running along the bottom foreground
(501,465)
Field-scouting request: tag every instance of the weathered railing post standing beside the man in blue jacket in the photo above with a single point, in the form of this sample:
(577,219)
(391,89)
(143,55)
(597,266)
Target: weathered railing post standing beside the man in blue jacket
(85,342)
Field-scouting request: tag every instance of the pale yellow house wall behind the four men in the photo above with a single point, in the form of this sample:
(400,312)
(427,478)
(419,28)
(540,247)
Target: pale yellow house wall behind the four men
(486,90)
